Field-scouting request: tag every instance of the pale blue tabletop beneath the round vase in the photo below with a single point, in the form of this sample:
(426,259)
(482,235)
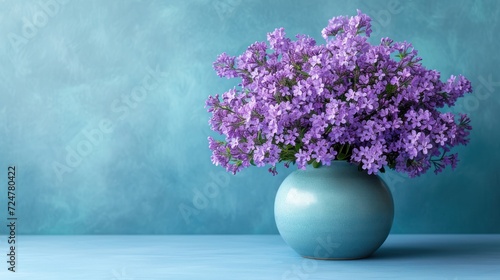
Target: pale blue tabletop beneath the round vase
(118,257)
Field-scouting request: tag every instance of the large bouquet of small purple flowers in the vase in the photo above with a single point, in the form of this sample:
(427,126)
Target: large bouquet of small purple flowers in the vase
(303,103)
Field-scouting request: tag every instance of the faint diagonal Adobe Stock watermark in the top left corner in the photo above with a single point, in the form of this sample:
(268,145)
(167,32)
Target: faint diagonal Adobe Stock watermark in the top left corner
(30,27)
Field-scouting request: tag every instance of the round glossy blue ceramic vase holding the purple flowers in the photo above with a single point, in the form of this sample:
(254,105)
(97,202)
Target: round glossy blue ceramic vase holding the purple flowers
(334,212)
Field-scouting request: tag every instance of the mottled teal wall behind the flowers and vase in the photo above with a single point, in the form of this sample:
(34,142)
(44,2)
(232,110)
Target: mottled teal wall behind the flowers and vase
(102,112)
